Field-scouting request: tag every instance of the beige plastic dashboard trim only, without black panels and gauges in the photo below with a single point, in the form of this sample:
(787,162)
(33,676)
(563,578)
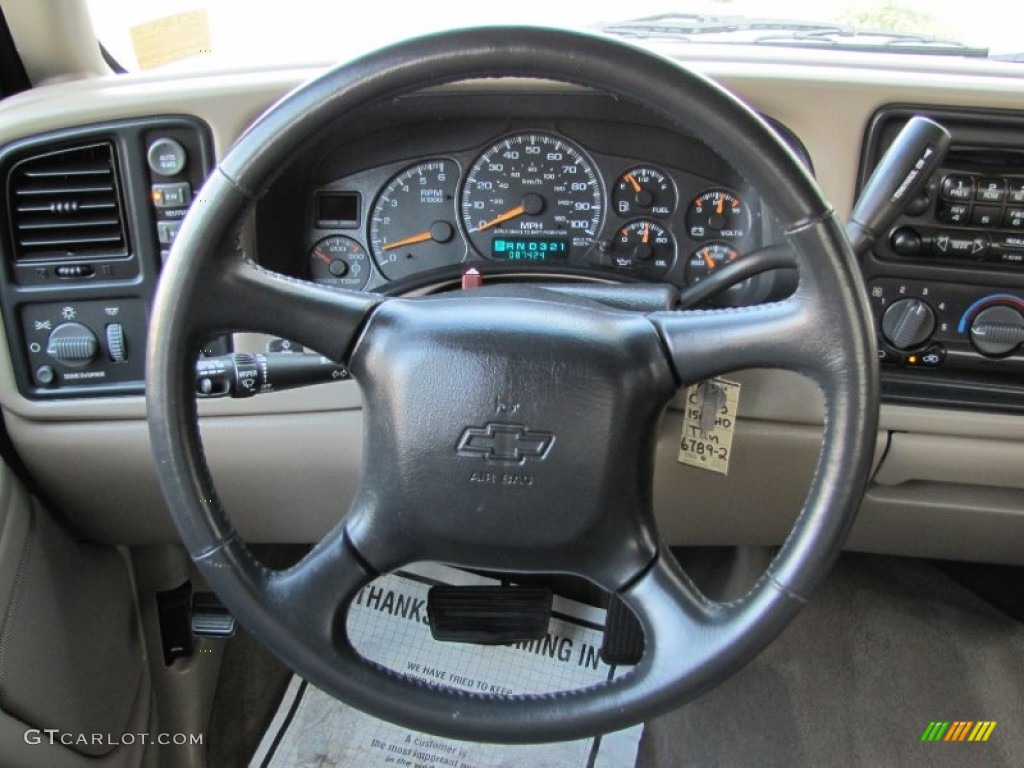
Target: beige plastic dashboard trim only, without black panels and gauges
(949,484)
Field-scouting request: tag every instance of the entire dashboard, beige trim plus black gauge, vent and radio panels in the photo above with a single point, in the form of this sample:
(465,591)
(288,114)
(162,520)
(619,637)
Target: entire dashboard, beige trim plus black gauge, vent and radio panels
(451,170)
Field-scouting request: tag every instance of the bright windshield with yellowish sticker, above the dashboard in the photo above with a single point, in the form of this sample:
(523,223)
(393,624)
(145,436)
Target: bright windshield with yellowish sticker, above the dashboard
(149,34)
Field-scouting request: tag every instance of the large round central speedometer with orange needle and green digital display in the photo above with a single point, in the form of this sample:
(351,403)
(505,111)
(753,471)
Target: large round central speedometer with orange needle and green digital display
(533,197)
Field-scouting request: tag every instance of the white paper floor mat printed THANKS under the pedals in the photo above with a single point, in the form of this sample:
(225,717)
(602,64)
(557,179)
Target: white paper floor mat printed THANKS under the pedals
(389,624)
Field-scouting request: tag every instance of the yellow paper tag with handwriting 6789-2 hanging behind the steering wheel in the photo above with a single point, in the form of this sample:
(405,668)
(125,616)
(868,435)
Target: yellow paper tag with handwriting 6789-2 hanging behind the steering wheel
(709,422)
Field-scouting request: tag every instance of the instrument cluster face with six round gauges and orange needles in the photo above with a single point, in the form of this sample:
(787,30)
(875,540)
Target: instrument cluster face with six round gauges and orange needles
(538,200)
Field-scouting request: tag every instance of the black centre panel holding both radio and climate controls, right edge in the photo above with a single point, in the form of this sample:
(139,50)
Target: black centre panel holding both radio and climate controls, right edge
(947,281)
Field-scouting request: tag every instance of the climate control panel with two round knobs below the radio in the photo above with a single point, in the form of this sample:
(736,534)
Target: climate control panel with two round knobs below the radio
(949,326)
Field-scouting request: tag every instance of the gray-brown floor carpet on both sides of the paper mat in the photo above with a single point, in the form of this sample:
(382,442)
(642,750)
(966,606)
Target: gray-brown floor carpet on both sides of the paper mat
(886,647)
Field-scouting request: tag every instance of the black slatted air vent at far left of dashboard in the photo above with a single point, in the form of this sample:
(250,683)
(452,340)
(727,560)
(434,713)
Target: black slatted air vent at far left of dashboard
(67,204)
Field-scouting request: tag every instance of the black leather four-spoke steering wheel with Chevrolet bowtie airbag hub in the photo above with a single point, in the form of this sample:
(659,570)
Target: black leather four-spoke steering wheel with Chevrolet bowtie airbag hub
(591,383)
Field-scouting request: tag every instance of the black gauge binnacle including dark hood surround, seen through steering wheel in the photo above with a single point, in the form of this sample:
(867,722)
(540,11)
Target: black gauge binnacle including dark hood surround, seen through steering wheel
(565,188)
